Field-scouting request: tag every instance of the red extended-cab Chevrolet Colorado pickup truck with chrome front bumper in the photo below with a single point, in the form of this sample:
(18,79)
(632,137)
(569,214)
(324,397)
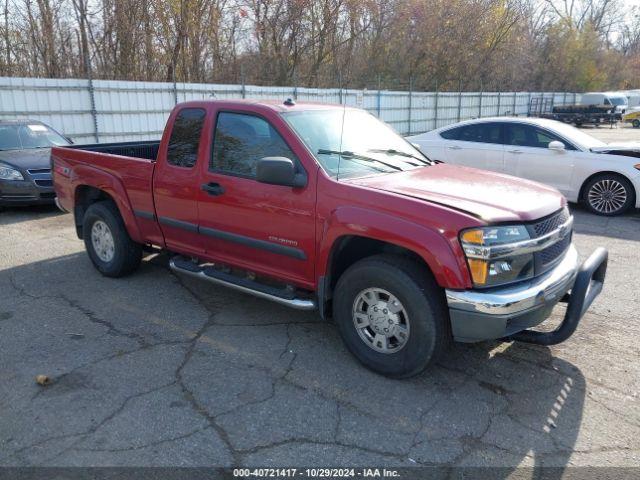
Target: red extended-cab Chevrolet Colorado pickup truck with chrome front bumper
(325,207)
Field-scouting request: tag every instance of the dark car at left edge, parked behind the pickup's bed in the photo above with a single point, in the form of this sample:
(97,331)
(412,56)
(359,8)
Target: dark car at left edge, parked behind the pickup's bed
(25,172)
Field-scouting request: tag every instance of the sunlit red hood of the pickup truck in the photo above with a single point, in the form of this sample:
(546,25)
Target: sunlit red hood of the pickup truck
(493,197)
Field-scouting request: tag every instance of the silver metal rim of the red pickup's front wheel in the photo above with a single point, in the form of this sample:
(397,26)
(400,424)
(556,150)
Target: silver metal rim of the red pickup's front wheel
(380,320)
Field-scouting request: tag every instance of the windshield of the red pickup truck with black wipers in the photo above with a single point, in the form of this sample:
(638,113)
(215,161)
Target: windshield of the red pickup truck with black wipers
(353,143)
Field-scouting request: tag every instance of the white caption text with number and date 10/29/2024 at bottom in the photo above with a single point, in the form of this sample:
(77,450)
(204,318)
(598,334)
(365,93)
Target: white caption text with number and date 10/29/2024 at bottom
(315,472)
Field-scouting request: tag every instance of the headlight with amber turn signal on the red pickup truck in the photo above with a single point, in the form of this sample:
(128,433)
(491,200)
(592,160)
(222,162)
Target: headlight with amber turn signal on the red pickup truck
(493,257)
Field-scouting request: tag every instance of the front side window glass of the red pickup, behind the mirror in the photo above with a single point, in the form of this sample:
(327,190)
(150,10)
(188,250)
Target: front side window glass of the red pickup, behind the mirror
(241,140)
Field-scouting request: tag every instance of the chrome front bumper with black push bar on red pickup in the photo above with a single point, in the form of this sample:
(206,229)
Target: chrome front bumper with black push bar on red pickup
(509,311)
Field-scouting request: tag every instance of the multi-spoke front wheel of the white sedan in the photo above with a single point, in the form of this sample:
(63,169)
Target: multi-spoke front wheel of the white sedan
(609,194)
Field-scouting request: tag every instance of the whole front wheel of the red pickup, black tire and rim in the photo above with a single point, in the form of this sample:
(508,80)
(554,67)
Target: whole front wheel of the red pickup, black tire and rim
(391,315)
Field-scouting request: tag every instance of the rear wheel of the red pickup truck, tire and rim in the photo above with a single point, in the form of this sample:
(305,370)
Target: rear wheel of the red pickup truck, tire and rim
(107,241)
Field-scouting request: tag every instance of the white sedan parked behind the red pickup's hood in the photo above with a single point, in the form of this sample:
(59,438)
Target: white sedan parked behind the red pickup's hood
(606,178)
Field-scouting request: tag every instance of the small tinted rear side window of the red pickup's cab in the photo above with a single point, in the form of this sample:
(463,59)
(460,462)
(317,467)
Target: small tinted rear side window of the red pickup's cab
(185,137)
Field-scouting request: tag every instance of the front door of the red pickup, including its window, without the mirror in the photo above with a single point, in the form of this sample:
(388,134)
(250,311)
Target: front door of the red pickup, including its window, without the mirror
(269,229)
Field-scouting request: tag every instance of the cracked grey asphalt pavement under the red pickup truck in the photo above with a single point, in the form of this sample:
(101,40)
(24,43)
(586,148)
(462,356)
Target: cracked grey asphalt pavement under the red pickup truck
(162,370)
